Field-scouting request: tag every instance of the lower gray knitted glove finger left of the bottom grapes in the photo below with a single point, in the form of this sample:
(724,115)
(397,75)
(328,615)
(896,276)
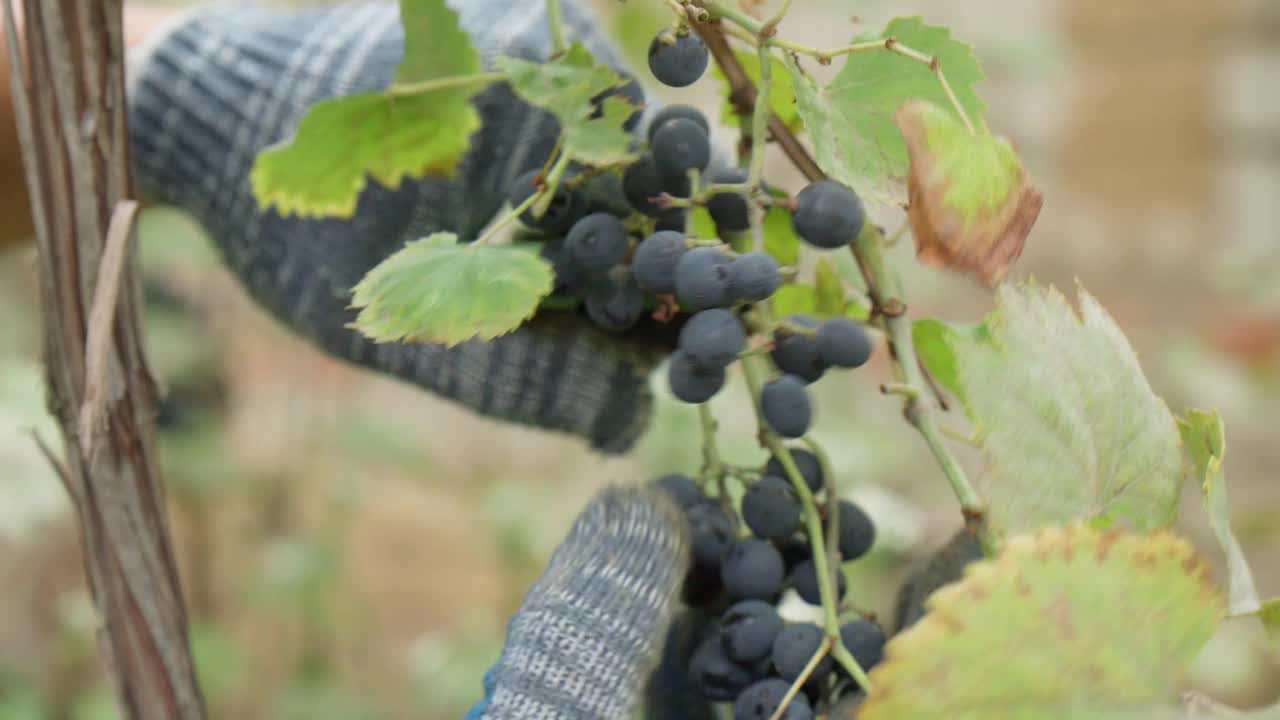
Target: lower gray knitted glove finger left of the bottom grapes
(592,628)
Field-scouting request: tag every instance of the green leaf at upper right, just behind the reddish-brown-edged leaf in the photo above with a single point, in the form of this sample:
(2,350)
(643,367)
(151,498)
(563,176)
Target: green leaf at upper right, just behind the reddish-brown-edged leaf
(852,119)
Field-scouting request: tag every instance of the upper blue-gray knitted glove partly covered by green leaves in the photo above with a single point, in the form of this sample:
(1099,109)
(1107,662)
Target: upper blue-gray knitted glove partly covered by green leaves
(223,84)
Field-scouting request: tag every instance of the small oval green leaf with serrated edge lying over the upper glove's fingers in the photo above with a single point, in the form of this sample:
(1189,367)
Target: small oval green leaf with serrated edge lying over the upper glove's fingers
(438,290)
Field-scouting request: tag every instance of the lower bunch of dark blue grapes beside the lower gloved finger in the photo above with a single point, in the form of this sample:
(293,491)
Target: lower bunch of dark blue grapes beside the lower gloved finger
(743,563)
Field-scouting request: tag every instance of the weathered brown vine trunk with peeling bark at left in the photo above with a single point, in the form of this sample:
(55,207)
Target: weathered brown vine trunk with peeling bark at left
(68,92)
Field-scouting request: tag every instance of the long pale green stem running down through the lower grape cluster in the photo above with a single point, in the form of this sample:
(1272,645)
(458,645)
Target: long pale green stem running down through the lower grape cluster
(753,375)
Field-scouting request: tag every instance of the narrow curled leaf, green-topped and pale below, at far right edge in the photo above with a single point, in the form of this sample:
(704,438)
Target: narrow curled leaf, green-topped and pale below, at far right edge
(1205,443)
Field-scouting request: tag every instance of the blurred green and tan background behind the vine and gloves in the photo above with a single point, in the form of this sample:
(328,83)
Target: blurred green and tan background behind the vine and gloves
(351,546)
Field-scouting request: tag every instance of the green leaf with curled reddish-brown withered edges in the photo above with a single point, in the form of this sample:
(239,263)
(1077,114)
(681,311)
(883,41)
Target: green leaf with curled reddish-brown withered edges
(971,203)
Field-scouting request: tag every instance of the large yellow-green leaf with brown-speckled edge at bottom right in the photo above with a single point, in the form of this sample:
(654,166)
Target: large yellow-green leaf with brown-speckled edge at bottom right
(1066,622)
